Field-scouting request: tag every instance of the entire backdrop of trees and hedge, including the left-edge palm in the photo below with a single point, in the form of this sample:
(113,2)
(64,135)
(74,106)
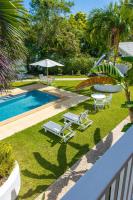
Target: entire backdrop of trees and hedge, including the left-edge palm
(53,32)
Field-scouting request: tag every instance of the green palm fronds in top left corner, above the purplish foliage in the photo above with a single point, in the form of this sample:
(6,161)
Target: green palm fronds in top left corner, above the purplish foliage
(12,33)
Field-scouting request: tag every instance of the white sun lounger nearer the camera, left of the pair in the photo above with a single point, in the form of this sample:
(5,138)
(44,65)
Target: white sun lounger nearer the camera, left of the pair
(65,132)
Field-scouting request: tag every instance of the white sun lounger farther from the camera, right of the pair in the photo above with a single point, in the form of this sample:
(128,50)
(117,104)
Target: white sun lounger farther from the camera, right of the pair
(82,120)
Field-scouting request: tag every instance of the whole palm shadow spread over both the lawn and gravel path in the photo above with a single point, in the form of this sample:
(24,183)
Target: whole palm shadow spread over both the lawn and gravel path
(56,170)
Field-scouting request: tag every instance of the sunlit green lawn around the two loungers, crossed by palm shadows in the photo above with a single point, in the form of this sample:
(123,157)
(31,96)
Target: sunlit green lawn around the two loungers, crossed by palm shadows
(43,157)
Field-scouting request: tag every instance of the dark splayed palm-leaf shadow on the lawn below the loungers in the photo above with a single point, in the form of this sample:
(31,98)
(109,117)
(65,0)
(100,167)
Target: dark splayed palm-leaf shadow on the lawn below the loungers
(55,170)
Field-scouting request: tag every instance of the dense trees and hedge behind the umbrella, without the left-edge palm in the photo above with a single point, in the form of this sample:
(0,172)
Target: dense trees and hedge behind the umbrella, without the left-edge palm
(72,39)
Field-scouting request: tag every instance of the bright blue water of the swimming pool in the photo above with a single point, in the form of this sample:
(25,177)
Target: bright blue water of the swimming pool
(11,106)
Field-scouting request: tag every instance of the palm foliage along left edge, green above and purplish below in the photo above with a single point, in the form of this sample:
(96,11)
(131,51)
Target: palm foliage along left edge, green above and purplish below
(11,38)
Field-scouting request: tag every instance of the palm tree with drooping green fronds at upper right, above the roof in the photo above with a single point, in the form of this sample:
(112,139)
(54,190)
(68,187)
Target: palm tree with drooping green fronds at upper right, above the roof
(109,26)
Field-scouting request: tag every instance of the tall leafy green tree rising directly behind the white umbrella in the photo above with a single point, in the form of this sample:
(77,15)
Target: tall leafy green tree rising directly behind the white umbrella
(48,25)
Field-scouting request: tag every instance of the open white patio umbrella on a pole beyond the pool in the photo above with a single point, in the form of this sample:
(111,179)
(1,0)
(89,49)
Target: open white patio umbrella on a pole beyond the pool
(47,63)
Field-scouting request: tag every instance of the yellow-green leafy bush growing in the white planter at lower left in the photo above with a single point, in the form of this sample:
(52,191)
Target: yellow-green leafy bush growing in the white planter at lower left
(6,160)
